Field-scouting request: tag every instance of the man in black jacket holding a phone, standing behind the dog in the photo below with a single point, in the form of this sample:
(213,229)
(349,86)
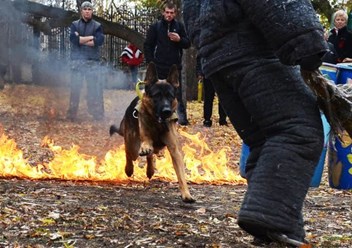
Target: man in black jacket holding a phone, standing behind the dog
(164,44)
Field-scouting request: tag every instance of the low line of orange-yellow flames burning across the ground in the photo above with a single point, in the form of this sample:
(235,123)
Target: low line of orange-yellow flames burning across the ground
(202,164)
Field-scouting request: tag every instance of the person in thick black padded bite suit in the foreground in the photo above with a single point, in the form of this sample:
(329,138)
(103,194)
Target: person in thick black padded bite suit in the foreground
(249,51)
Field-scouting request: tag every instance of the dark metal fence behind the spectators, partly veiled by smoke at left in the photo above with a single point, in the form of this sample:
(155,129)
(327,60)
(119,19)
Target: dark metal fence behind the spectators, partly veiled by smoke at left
(31,56)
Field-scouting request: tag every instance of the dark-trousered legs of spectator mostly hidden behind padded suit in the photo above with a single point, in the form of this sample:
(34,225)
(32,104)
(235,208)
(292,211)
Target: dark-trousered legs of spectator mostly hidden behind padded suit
(209,95)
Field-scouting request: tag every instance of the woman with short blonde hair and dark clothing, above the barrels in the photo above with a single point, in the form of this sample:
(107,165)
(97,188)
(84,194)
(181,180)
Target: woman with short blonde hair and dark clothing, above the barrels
(340,38)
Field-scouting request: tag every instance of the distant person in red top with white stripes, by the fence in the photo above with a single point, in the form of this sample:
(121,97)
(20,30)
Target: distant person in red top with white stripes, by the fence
(132,57)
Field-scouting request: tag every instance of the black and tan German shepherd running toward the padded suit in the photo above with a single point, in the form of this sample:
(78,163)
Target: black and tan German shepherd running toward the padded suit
(149,124)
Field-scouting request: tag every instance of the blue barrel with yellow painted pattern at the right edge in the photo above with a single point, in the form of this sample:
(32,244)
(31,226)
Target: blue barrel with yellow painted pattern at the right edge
(340,162)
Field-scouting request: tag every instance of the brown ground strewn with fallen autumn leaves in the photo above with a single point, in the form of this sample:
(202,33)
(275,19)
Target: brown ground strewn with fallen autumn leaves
(53,213)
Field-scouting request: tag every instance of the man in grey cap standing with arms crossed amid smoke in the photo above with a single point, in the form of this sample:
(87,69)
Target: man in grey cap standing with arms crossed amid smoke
(86,37)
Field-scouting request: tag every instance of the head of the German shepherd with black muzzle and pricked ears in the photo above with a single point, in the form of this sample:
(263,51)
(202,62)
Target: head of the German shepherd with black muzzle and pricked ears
(159,94)
